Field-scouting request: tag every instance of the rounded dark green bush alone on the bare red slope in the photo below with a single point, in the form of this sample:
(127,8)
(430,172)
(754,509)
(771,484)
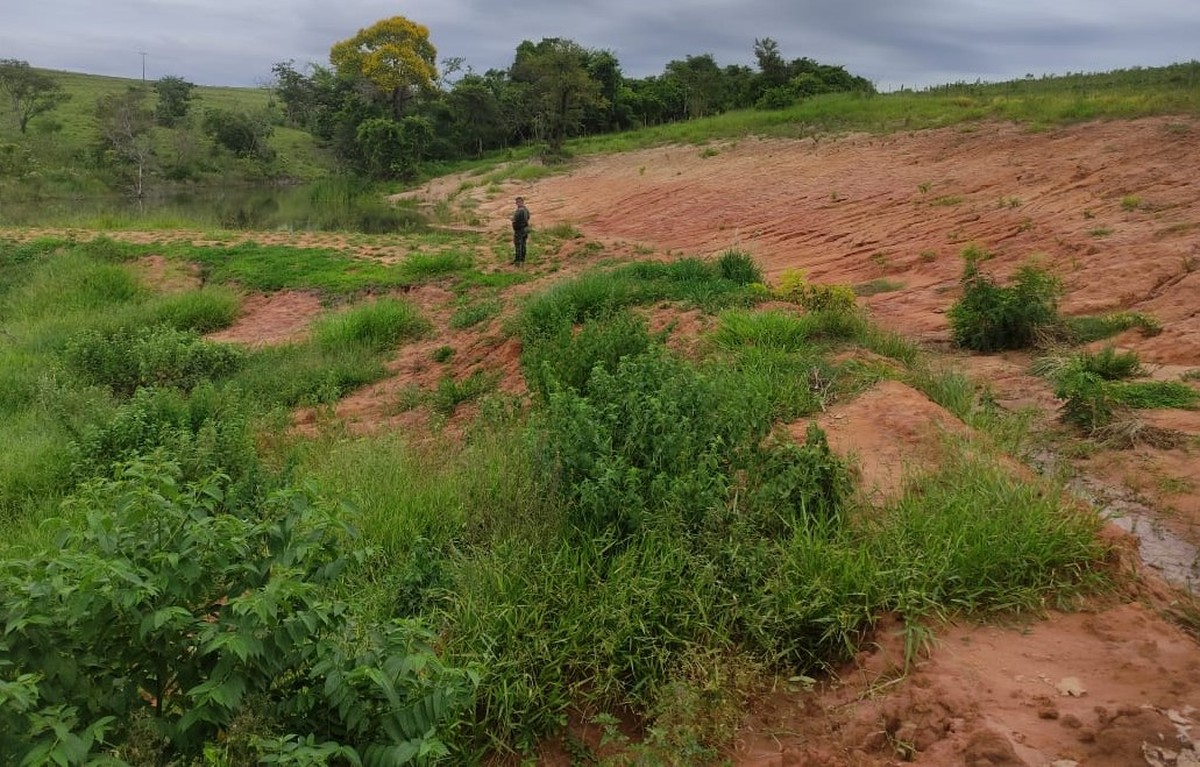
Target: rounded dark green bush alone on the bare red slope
(992,319)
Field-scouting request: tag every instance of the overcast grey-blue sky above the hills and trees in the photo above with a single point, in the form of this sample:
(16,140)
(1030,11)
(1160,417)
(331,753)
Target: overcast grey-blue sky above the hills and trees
(891,43)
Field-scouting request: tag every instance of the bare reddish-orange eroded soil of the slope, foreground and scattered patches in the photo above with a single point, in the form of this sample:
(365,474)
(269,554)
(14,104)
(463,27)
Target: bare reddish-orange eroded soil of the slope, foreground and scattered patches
(1113,208)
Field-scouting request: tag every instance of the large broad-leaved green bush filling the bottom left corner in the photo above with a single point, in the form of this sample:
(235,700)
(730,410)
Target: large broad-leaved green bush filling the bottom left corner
(155,604)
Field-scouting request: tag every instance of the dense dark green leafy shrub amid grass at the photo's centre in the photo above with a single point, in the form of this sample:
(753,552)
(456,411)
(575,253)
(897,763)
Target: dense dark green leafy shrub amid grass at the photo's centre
(651,445)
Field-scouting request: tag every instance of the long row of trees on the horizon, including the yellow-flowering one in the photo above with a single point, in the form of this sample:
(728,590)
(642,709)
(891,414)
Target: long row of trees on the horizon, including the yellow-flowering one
(385,107)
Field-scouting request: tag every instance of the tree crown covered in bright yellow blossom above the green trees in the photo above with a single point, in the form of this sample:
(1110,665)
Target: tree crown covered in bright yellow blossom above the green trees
(394,57)
